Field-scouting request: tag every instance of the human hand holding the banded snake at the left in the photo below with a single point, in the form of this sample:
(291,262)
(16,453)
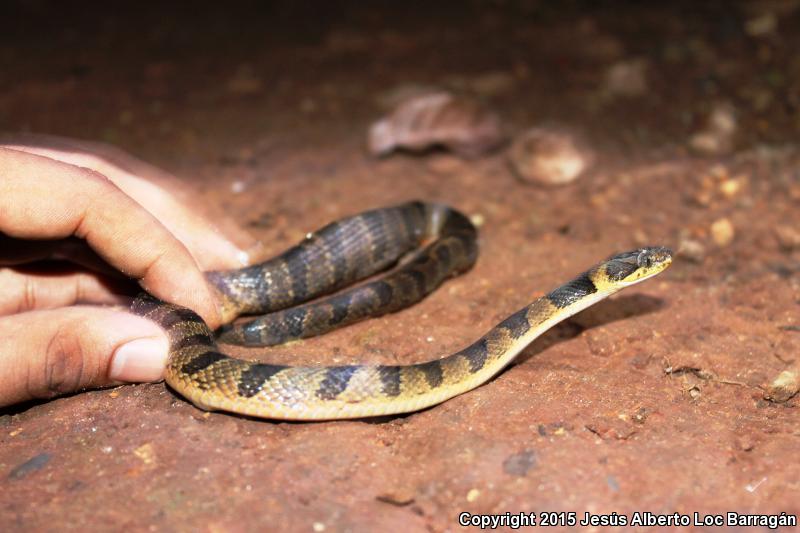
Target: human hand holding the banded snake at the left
(66,329)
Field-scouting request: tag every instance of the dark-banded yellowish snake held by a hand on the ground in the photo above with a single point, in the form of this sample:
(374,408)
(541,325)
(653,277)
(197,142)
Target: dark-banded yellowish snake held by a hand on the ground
(362,266)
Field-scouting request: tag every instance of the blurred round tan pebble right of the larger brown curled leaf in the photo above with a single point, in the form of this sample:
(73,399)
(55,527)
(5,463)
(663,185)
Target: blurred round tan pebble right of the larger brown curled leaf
(548,157)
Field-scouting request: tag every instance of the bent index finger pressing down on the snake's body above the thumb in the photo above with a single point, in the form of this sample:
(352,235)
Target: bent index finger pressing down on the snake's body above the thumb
(45,199)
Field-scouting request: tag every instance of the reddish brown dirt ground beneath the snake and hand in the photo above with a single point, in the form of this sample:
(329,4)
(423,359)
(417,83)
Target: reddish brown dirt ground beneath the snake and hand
(652,401)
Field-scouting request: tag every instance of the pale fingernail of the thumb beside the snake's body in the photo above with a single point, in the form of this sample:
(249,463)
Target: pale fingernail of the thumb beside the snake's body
(139,360)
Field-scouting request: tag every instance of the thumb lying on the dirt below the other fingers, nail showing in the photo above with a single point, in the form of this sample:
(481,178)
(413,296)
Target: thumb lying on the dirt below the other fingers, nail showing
(53,352)
